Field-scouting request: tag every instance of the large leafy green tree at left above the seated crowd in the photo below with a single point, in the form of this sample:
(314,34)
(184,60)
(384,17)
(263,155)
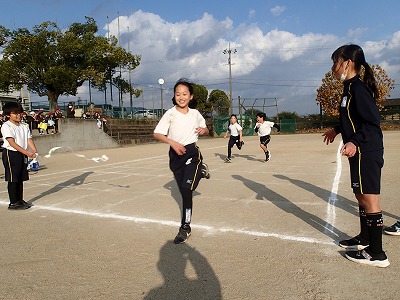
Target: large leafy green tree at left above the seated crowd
(53,62)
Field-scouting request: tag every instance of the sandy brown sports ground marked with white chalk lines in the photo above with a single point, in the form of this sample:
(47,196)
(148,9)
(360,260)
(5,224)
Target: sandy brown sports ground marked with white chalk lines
(260,230)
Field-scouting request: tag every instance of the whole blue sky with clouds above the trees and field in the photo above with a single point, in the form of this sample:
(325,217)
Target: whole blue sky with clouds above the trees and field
(280,50)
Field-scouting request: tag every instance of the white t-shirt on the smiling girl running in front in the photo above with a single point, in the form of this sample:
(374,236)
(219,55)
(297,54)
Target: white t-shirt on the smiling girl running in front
(181,127)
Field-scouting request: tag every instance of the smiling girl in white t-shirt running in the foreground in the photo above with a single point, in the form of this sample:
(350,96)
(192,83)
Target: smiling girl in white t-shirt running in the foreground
(180,127)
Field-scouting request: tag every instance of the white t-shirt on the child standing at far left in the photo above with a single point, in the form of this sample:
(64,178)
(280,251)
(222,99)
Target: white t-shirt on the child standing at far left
(20,133)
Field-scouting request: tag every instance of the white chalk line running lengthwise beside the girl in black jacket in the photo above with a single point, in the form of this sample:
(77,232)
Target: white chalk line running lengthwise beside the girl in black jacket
(331,208)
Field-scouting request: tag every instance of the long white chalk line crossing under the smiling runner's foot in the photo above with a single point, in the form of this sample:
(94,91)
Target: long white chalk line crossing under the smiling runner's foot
(206,228)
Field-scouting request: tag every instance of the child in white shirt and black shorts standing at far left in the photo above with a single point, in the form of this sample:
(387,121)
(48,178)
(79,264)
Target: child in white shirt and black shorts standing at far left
(17,139)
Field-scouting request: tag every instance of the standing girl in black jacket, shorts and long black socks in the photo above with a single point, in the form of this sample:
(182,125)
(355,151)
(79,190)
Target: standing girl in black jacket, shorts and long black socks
(359,125)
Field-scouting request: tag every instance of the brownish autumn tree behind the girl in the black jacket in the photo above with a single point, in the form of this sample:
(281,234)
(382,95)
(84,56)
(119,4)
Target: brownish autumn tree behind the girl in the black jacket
(330,92)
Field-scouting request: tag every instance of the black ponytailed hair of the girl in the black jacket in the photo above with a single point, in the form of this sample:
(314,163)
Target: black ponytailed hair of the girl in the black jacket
(356,55)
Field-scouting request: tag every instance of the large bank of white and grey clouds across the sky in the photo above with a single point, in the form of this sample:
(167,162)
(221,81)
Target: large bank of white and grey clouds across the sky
(276,63)
